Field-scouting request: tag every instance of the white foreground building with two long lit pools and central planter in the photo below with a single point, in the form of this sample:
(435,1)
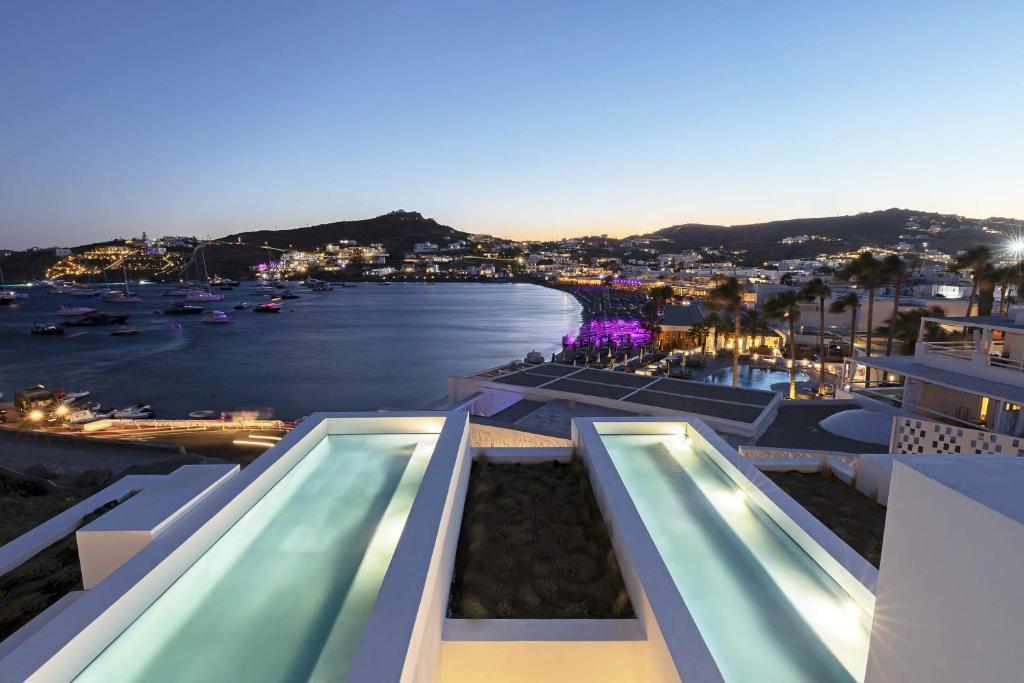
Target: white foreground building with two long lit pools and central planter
(386,547)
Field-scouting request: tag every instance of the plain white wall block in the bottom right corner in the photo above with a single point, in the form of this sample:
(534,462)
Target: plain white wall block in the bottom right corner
(950,602)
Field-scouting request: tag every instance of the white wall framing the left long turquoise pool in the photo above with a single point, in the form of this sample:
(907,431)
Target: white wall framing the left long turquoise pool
(60,651)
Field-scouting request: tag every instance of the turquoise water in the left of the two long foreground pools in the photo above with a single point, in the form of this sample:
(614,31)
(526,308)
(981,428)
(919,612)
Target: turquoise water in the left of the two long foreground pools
(285,594)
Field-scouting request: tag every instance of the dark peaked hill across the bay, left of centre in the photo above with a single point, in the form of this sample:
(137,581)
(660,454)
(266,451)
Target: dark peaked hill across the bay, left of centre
(398,231)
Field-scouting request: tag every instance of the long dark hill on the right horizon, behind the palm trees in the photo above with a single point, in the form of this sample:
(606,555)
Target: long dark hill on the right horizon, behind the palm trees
(762,241)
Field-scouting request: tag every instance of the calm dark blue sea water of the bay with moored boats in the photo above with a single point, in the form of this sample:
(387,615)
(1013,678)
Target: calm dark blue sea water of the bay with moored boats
(351,350)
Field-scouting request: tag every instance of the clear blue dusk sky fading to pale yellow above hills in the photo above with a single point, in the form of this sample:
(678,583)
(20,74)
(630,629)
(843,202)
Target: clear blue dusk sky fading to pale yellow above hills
(520,119)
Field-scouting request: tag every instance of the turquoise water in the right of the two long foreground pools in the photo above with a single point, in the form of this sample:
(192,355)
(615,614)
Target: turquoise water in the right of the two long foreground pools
(767,612)
